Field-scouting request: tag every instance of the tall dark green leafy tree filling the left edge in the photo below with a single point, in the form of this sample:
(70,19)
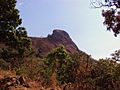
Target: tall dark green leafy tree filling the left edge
(15,39)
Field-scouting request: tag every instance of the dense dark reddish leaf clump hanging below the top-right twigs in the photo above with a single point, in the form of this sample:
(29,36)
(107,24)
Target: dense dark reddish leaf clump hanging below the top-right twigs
(112,20)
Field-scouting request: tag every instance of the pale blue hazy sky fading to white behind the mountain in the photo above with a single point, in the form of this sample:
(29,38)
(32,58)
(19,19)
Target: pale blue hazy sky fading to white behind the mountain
(83,23)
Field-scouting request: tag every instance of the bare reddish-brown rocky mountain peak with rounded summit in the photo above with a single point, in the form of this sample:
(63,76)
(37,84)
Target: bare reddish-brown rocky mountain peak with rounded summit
(58,37)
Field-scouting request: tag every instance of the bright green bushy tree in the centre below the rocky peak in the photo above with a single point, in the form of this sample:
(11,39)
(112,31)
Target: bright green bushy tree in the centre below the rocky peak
(60,62)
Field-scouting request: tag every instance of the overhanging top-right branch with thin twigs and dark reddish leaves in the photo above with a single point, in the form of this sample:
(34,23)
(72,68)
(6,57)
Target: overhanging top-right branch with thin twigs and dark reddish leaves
(111,14)
